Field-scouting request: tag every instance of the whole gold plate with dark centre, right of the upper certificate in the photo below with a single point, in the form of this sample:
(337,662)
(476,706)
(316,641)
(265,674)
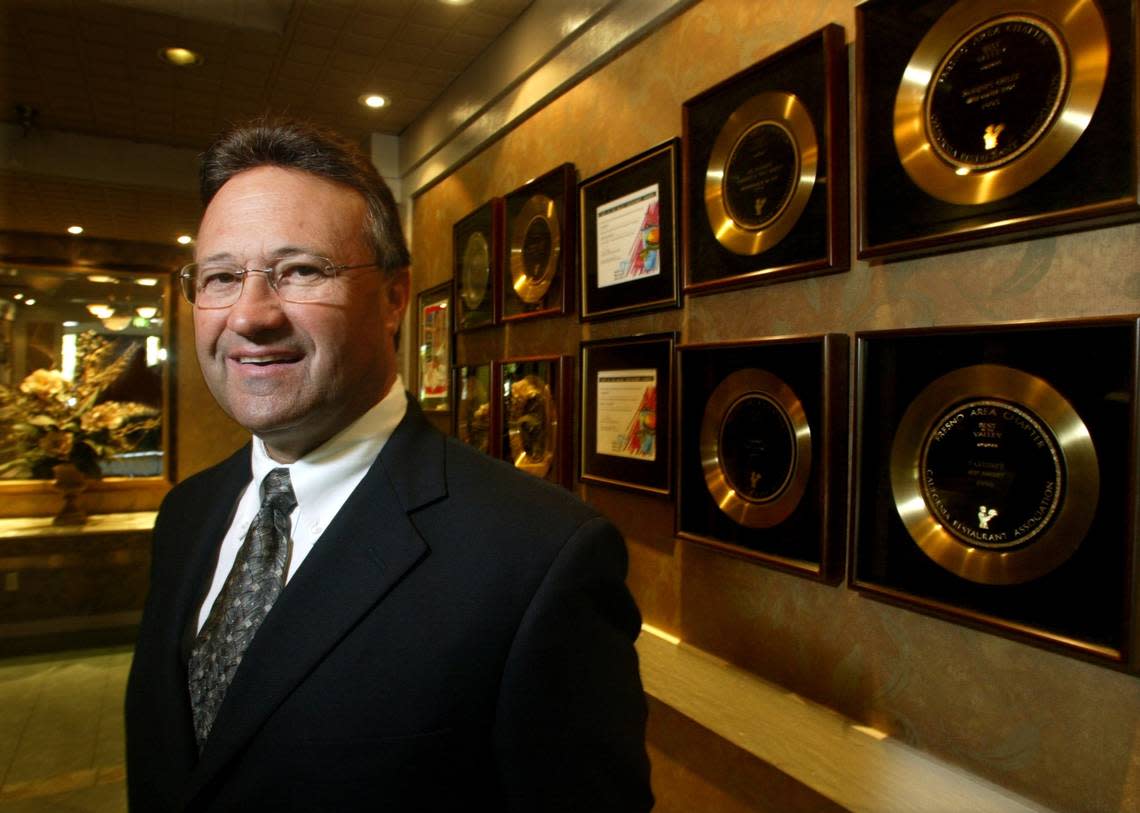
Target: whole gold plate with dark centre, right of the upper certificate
(761,173)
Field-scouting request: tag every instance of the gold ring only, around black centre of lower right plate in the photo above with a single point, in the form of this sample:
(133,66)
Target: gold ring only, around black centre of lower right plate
(1047,412)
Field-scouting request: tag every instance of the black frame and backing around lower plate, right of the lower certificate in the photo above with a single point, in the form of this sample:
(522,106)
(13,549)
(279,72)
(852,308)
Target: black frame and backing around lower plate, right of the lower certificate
(810,541)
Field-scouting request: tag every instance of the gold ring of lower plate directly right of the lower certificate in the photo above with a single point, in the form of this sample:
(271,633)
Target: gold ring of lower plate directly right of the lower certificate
(732,498)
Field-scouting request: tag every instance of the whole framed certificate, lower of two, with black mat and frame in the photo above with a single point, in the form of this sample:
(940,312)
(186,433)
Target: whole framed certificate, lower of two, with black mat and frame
(626,418)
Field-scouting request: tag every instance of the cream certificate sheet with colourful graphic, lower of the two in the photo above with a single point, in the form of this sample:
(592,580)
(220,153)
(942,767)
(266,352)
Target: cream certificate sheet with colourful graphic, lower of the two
(628,413)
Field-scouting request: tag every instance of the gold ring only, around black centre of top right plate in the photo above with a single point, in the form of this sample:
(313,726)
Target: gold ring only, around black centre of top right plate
(1077,34)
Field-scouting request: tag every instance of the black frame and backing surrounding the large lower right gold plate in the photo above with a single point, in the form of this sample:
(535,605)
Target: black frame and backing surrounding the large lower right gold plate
(1093,365)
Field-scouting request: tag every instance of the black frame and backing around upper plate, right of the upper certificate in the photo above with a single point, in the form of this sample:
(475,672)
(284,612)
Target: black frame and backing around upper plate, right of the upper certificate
(819,241)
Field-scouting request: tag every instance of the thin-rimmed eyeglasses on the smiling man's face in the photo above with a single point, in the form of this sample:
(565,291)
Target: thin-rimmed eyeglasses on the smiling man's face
(299,279)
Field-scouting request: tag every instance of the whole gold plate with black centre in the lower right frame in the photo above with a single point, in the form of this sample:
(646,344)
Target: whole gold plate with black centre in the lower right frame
(995,475)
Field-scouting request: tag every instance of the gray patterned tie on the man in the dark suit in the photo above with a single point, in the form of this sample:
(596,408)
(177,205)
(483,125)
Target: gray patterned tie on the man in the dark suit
(251,589)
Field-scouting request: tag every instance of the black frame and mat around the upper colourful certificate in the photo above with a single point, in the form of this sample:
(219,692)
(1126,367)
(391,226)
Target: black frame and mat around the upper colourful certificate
(659,166)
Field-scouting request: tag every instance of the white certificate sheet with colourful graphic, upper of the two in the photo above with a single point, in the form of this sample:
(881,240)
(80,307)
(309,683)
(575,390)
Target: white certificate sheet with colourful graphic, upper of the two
(630,238)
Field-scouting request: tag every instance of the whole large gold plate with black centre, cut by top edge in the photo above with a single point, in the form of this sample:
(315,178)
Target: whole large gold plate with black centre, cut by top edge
(997,94)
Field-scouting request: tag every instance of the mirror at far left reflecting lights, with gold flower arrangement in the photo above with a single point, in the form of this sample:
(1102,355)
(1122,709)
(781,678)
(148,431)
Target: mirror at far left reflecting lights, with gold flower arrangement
(82,372)
